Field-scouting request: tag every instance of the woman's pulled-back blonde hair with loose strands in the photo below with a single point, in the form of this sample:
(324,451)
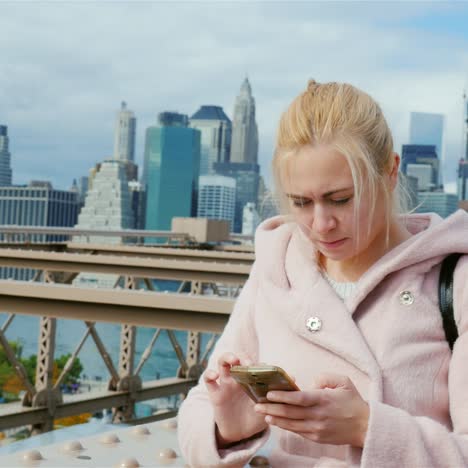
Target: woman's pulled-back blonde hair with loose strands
(340,115)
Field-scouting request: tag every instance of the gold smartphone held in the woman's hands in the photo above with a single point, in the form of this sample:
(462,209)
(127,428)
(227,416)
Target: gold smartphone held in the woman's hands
(257,381)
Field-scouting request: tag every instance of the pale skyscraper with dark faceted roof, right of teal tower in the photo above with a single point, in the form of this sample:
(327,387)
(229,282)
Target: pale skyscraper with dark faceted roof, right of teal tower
(215,143)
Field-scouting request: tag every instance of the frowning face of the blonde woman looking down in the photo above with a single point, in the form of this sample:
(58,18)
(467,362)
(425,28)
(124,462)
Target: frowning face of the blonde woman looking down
(320,189)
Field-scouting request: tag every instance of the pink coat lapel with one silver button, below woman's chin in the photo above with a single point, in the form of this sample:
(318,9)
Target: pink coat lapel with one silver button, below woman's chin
(298,290)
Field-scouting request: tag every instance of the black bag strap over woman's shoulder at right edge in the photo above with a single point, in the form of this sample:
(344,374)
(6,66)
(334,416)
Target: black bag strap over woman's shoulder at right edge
(446,297)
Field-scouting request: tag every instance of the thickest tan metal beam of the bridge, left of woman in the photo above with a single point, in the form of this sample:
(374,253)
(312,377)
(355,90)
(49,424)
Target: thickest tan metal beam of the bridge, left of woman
(141,308)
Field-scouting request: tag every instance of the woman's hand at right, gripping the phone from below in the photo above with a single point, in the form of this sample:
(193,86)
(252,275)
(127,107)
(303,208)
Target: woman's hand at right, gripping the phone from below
(332,413)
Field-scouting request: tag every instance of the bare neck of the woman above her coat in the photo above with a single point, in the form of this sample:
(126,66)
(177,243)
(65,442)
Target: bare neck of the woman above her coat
(350,270)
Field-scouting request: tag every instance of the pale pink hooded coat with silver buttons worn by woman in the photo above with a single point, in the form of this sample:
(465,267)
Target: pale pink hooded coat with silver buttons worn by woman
(391,345)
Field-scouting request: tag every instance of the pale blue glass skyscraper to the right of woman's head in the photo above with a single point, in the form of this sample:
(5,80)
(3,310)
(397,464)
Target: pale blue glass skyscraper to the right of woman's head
(428,129)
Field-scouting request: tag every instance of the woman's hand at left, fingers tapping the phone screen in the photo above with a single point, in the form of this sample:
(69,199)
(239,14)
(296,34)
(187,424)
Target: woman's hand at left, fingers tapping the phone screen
(234,412)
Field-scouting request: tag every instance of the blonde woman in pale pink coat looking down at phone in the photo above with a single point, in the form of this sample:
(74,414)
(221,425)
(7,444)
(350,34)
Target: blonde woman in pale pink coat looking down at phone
(343,296)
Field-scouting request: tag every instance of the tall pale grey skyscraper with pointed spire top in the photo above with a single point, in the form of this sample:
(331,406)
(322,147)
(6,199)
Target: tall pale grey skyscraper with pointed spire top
(244,145)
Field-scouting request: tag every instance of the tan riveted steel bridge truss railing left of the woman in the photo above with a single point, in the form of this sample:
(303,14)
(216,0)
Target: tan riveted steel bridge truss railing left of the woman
(197,307)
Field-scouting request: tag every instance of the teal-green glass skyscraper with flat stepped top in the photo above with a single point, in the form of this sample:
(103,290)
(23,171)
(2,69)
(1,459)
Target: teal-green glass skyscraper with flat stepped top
(171,170)
